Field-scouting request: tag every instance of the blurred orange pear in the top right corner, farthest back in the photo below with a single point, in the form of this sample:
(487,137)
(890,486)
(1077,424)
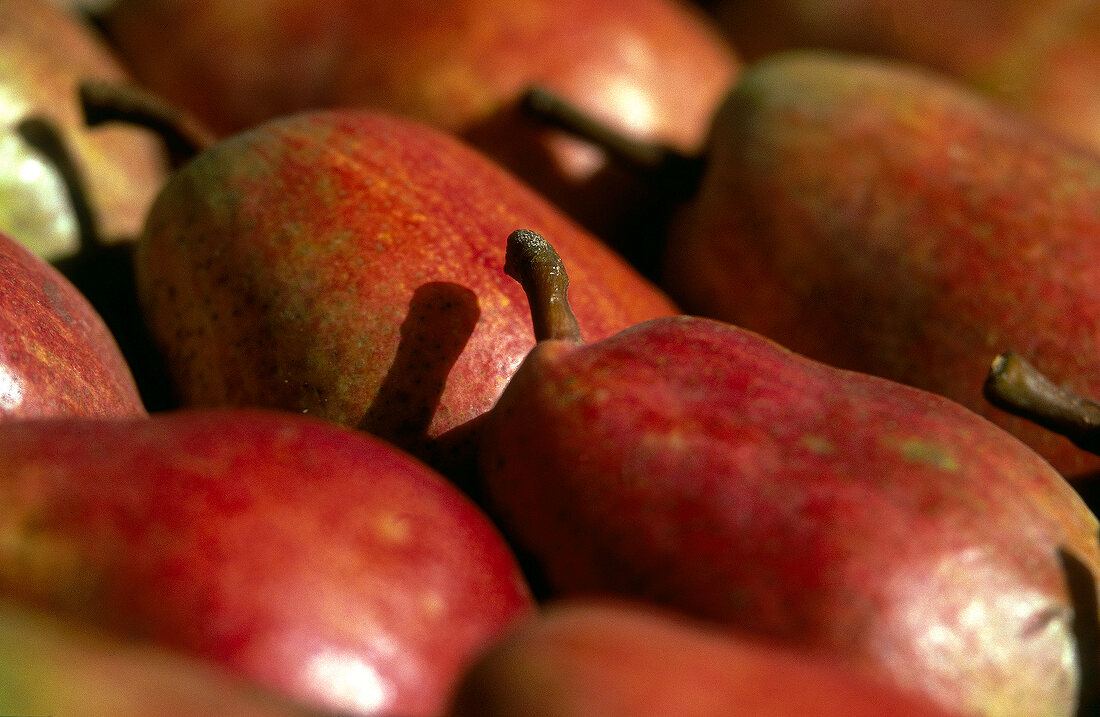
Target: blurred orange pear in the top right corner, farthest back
(1041,58)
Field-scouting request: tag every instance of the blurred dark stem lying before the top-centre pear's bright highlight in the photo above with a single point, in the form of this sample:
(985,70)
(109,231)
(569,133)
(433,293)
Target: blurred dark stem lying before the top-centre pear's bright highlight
(663,166)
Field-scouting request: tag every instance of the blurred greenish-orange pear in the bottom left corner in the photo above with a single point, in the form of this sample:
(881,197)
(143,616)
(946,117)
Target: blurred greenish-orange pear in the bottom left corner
(54,666)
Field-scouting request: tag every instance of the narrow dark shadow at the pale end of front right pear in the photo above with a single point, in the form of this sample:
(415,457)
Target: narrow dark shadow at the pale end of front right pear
(1082,586)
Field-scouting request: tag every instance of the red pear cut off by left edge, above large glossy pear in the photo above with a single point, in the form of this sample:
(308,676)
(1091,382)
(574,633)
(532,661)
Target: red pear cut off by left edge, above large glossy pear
(57,355)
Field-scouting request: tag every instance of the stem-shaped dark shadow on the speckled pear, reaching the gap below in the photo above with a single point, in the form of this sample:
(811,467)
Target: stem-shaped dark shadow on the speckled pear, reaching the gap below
(442,318)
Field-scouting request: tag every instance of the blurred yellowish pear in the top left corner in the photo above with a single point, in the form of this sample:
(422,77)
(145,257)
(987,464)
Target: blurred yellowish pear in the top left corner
(46,51)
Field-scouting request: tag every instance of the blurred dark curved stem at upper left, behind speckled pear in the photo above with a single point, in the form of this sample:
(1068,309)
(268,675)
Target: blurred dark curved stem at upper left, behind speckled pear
(106,102)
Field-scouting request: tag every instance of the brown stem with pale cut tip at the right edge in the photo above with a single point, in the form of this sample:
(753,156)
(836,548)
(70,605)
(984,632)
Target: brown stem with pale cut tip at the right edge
(1017,387)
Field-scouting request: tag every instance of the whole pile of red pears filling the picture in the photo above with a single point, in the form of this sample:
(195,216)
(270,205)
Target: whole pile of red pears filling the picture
(752,374)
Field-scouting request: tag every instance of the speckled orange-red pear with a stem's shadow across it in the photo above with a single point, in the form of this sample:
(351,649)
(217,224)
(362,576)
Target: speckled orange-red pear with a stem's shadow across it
(350,266)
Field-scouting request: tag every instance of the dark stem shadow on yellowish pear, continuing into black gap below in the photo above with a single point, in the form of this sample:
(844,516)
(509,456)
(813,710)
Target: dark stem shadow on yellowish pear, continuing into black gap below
(104,272)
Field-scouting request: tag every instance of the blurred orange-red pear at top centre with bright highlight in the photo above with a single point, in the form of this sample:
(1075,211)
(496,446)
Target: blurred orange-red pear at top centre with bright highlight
(654,69)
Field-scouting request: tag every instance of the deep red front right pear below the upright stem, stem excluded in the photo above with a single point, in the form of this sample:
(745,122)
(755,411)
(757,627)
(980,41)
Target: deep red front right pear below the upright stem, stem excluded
(702,467)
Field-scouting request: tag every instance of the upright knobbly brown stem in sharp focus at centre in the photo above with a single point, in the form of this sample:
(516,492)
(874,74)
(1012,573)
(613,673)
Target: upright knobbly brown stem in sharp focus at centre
(532,261)
